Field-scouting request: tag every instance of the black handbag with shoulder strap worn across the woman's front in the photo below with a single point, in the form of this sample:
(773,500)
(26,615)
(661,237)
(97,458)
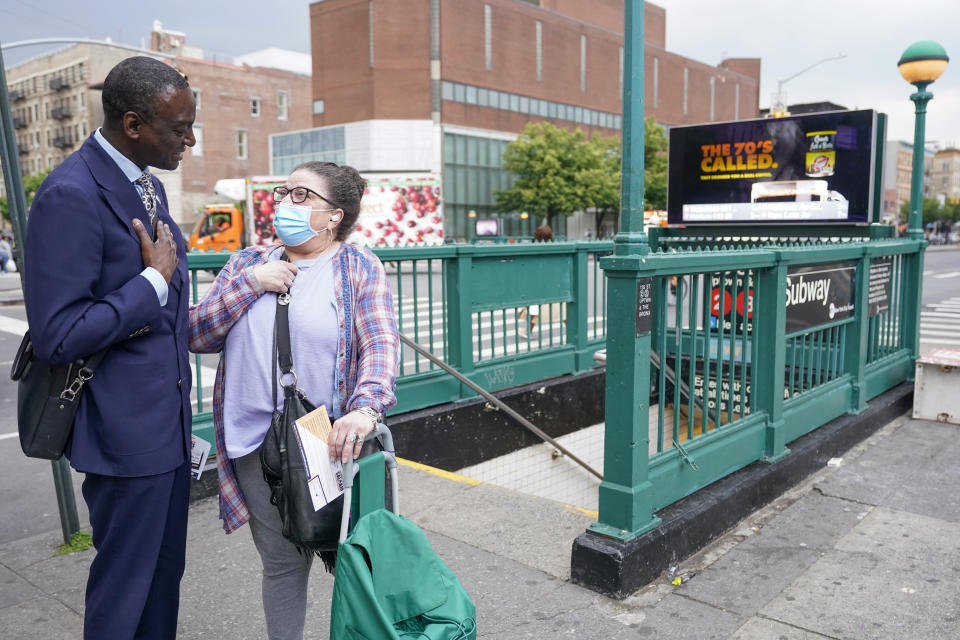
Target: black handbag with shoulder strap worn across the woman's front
(283,466)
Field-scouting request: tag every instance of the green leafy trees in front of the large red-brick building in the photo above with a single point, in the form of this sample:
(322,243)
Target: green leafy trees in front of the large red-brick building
(560,172)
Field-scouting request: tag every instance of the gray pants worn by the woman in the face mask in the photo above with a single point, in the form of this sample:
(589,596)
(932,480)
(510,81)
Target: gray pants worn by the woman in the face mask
(285,570)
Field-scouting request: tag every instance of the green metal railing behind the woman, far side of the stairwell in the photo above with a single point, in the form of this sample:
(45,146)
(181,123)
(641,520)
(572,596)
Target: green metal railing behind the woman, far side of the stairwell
(465,304)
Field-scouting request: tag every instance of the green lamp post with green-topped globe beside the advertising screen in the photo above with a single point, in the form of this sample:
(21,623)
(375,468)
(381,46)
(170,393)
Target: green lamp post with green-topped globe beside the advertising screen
(920,65)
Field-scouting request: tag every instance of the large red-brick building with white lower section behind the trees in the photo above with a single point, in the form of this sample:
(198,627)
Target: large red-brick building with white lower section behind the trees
(444,85)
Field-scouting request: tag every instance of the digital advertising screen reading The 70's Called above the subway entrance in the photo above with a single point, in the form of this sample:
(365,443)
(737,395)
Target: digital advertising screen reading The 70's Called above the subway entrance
(809,168)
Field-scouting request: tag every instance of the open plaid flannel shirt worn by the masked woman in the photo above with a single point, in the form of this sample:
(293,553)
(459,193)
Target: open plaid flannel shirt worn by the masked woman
(367,354)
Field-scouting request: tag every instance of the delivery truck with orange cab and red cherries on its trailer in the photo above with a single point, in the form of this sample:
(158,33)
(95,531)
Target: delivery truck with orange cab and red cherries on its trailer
(396,209)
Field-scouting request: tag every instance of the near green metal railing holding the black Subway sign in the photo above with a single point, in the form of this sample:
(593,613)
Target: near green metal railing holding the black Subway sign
(728,384)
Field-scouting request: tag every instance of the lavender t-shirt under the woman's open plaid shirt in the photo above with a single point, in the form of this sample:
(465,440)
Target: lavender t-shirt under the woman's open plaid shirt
(248,392)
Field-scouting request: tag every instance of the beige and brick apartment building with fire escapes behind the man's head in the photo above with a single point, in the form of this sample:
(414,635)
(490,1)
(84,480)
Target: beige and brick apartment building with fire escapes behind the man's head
(56,104)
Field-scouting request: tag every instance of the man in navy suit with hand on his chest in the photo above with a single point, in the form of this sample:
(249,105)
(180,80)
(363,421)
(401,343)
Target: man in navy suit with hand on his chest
(105,268)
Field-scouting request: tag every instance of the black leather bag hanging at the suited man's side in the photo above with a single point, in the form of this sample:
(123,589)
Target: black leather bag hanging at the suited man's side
(47,399)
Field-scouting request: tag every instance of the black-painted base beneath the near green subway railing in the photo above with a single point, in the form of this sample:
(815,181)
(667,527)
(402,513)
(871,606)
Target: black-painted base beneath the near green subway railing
(617,568)
